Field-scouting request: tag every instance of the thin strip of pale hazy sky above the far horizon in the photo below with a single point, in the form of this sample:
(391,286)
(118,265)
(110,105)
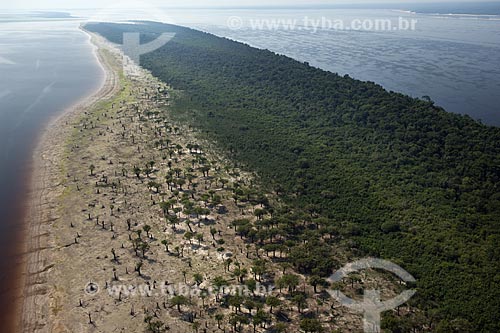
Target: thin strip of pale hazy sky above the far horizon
(71,4)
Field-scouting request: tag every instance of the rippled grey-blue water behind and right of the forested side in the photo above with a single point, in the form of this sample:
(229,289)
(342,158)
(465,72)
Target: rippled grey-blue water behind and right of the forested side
(454,59)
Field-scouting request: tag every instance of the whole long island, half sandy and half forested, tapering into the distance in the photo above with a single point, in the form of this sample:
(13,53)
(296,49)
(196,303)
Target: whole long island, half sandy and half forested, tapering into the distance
(218,186)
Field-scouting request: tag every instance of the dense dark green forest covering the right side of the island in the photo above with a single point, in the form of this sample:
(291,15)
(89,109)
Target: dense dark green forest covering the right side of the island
(375,172)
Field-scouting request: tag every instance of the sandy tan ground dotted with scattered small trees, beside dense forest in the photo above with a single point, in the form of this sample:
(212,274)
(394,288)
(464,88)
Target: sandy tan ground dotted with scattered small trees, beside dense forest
(135,218)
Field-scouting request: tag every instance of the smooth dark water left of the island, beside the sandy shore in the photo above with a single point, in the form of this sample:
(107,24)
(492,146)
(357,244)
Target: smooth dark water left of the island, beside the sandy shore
(45,67)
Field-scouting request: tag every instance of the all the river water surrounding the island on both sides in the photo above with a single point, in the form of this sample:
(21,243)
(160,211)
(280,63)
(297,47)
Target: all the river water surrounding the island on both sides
(48,64)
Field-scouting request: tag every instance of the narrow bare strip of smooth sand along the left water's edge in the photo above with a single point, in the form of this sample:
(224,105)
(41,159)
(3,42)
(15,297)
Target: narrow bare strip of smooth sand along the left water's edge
(44,185)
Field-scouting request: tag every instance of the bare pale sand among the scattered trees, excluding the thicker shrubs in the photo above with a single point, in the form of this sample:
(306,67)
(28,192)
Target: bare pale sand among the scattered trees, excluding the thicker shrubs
(67,250)
